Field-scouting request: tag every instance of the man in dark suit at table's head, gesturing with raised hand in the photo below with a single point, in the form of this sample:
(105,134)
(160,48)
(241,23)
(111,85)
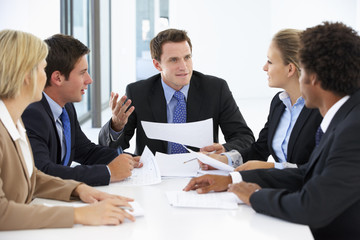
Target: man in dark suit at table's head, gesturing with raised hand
(206,97)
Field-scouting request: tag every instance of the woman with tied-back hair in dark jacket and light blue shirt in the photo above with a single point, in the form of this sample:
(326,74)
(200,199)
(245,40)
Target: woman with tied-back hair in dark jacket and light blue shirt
(289,133)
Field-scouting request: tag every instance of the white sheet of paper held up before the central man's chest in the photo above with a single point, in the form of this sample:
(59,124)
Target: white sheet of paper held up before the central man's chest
(196,134)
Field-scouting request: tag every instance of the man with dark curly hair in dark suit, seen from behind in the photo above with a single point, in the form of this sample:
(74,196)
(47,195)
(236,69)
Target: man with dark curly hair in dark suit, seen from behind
(325,192)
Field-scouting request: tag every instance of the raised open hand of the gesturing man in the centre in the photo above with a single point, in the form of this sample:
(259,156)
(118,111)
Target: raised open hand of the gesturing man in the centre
(120,111)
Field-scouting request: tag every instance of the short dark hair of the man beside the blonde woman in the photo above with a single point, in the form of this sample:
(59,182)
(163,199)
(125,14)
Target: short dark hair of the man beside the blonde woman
(64,53)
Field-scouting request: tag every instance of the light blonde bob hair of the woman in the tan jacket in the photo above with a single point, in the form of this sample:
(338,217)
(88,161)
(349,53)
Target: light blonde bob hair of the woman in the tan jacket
(20,55)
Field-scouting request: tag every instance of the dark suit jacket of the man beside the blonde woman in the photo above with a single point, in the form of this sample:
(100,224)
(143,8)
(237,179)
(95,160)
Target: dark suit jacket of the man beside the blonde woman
(44,139)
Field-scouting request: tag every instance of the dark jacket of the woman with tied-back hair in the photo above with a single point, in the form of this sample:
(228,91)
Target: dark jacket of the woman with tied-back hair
(302,138)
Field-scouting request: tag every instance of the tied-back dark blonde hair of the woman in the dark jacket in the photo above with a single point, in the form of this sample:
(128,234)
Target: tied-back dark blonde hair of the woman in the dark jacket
(288,42)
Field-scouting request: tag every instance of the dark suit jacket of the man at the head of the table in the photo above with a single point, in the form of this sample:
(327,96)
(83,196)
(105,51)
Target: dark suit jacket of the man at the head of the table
(208,97)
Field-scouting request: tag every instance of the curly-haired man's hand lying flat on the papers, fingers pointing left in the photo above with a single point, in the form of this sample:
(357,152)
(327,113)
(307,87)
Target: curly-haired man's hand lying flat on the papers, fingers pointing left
(207,183)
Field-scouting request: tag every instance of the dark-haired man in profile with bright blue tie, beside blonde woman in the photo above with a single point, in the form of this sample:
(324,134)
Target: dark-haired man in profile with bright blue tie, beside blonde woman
(67,80)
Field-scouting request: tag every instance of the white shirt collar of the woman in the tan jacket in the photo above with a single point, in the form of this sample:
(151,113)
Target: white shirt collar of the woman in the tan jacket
(16,131)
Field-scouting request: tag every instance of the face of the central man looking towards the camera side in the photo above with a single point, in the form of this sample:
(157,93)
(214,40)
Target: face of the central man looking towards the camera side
(175,64)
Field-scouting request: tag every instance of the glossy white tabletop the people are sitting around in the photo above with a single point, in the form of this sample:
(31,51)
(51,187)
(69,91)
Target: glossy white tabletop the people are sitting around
(162,221)
